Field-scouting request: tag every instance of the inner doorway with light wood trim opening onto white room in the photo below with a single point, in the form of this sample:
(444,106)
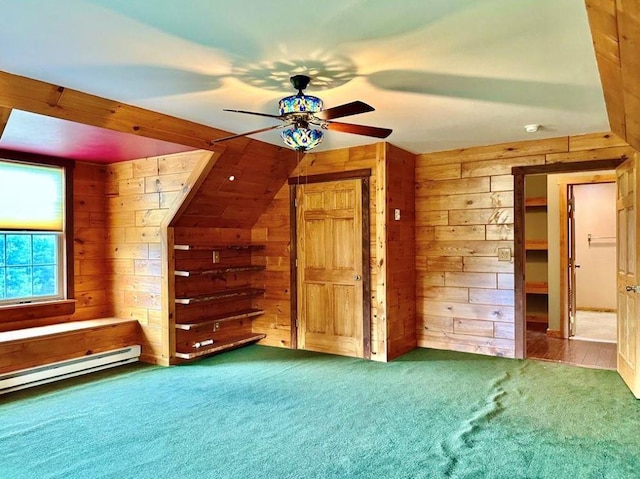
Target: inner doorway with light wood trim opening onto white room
(583,255)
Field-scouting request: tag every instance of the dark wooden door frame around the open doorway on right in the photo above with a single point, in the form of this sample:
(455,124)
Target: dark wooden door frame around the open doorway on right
(519,253)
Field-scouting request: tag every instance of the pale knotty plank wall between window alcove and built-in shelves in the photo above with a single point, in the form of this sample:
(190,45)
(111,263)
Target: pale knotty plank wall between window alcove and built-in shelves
(139,196)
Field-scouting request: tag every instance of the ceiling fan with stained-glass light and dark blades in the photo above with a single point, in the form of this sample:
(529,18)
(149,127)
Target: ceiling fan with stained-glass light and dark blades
(301,113)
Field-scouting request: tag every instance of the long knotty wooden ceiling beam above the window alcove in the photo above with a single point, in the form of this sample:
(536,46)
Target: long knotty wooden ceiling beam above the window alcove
(21,93)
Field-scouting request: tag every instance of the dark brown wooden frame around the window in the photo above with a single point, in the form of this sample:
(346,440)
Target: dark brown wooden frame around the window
(48,307)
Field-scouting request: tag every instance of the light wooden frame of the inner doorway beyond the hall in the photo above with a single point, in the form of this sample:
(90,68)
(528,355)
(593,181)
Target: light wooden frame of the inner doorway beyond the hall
(564,218)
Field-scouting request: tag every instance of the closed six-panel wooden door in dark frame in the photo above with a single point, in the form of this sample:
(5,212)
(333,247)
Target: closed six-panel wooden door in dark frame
(330,269)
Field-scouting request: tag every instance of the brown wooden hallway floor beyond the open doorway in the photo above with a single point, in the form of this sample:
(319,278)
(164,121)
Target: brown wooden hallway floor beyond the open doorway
(571,351)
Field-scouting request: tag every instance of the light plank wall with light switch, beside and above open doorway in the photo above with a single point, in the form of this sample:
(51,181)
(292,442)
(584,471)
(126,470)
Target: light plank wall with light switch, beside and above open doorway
(464,213)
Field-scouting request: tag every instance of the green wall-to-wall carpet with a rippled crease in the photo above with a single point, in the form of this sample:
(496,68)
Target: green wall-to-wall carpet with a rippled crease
(273,413)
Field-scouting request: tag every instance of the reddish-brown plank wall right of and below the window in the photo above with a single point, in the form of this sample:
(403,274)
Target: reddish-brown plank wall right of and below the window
(89,254)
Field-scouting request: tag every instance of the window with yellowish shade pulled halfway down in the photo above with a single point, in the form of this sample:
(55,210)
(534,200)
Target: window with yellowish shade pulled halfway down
(32,233)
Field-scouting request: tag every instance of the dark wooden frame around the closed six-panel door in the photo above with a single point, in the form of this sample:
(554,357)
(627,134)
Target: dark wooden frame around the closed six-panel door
(363,175)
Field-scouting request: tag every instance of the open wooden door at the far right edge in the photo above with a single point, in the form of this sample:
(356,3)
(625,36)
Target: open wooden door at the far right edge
(627,281)
